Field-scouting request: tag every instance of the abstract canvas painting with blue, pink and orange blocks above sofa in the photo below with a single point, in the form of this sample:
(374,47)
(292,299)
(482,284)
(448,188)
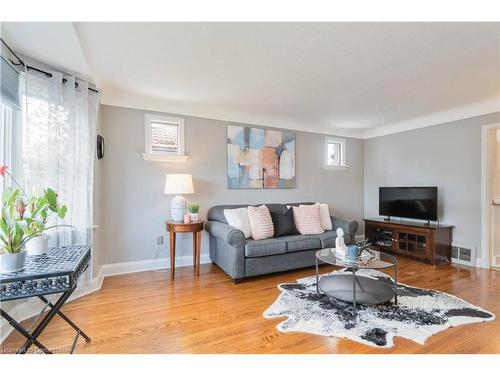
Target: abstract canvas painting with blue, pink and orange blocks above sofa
(260,158)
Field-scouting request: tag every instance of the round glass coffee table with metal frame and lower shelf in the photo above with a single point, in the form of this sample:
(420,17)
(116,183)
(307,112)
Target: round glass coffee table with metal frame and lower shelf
(357,289)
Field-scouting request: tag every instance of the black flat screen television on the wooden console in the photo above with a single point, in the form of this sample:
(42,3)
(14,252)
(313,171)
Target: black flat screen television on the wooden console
(409,202)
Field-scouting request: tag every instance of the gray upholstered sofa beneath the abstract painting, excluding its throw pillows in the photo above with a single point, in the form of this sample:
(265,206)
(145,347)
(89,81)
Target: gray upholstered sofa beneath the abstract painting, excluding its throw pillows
(241,258)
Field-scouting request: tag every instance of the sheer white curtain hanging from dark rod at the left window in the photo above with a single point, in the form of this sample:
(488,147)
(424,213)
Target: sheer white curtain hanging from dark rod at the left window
(59,131)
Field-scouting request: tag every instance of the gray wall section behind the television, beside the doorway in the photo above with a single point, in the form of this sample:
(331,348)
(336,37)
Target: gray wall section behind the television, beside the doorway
(446,155)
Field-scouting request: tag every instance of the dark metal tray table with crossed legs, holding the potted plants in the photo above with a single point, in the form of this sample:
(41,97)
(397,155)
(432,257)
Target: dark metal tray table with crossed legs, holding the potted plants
(56,272)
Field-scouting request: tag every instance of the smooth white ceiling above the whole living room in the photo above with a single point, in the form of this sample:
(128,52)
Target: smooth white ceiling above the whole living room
(353,79)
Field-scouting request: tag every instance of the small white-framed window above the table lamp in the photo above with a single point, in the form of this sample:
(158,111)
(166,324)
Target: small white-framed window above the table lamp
(164,137)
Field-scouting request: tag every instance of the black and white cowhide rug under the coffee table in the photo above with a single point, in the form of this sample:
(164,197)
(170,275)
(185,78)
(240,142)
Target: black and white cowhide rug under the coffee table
(419,314)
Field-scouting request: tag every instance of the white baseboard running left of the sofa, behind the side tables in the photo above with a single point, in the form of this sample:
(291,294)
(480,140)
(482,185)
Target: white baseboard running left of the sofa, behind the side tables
(31,307)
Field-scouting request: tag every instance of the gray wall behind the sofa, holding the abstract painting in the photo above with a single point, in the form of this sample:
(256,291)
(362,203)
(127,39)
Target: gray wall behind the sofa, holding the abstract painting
(133,204)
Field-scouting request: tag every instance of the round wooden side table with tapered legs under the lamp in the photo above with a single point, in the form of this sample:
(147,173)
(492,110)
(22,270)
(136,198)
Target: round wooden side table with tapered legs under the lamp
(195,227)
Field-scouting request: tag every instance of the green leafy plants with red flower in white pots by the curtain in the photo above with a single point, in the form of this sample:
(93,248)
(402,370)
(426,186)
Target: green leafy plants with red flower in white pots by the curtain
(23,218)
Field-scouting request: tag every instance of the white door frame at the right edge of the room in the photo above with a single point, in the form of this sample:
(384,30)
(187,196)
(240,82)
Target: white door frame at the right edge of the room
(486,251)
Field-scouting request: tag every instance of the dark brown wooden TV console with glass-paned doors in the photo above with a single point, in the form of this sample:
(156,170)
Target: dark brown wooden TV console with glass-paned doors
(431,243)
